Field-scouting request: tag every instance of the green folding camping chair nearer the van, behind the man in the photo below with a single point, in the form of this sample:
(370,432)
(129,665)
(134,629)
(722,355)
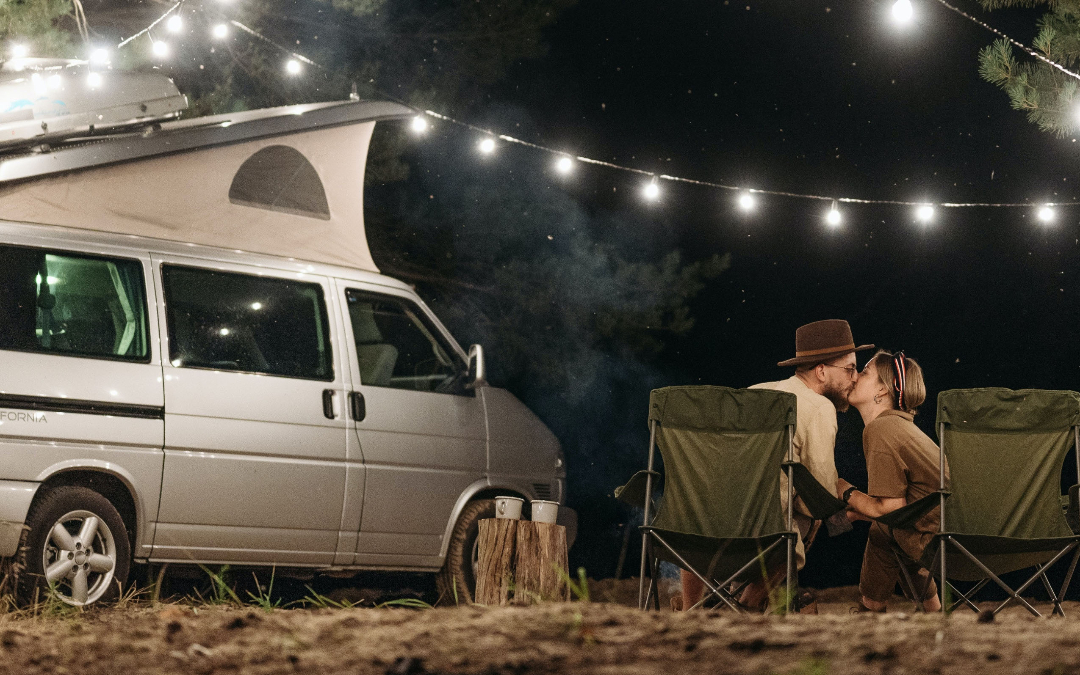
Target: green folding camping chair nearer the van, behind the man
(720,516)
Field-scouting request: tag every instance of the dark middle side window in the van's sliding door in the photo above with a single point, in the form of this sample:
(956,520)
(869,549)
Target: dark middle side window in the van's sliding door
(246,323)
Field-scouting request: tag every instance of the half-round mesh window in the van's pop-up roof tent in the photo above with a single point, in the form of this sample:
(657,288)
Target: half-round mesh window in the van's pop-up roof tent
(280,179)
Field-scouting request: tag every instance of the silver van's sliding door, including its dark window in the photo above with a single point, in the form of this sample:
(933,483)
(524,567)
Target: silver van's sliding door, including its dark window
(255,435)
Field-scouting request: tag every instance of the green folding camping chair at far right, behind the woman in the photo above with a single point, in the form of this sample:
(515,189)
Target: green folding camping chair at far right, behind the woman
(1005,451)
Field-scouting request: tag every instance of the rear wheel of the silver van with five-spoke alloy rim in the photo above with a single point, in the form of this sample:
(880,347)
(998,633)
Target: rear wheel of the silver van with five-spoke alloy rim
(58,542)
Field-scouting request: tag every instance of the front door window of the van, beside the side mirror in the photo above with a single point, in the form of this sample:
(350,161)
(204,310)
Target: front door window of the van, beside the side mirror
(397,347)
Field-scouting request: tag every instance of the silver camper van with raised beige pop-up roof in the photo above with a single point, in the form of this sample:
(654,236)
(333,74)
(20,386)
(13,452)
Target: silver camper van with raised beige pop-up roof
(200,363)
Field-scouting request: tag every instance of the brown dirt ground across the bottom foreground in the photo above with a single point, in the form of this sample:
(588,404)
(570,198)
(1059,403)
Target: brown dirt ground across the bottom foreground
(573,638)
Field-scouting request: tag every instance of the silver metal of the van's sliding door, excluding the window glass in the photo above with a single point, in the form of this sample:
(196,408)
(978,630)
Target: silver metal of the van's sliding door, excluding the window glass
(261,445)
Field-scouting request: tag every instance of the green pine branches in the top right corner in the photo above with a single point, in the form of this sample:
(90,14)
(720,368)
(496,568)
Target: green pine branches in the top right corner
(1048,96)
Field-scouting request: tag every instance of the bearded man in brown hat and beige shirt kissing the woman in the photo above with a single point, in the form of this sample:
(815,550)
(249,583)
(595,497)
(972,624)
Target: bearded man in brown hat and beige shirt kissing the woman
(825,374)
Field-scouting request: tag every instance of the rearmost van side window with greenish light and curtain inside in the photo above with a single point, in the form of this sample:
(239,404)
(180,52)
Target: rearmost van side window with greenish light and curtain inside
(73,304)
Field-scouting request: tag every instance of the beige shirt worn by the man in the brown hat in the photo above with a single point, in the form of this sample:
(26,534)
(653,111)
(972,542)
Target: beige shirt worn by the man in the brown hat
(815,437)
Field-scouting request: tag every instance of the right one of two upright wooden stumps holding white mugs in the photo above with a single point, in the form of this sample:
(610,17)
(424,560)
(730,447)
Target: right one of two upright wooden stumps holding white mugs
(541,564)
